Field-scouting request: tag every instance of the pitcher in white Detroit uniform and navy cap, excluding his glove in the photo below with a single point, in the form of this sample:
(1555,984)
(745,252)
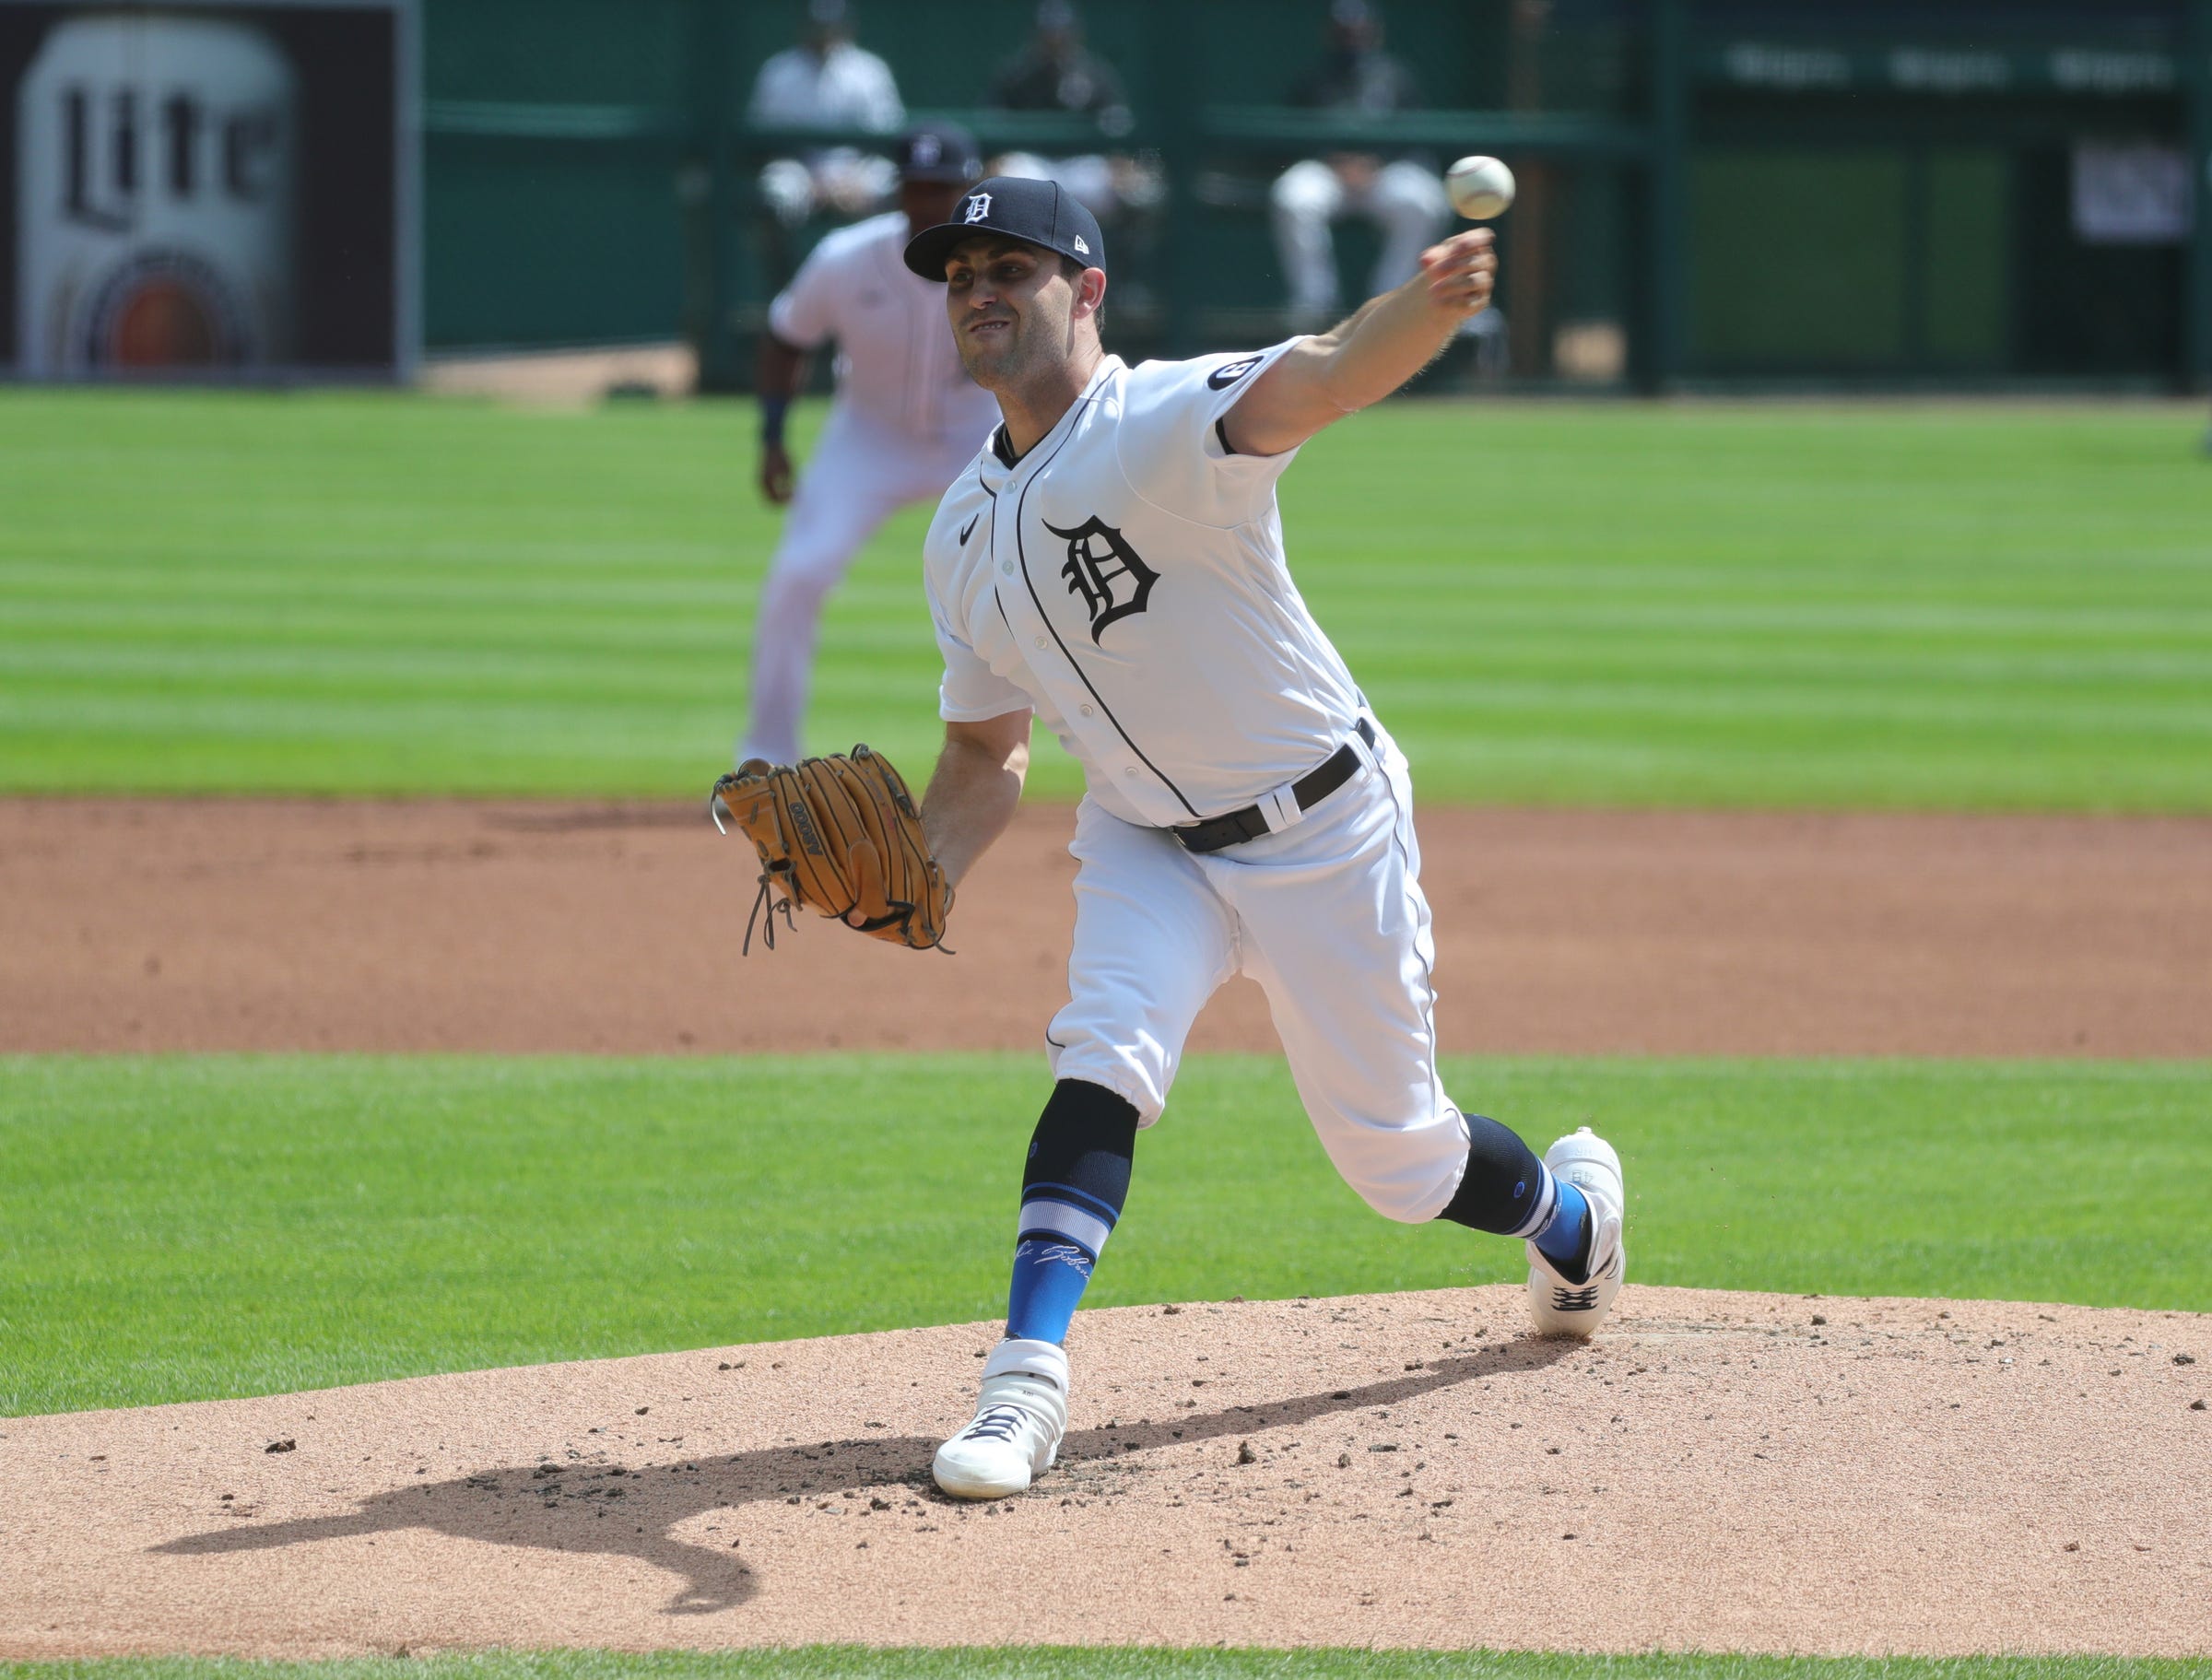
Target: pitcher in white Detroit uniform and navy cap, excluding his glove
(1114,565)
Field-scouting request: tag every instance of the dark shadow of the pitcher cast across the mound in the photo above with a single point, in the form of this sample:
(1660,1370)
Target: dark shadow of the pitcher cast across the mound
(612,1509)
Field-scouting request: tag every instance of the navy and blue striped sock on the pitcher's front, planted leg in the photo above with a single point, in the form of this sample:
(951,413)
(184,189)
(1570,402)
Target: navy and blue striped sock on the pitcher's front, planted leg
(1072,1195)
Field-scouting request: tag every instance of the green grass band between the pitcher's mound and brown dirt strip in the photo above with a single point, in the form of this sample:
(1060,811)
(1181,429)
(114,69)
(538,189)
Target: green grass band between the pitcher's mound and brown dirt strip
(229,1226)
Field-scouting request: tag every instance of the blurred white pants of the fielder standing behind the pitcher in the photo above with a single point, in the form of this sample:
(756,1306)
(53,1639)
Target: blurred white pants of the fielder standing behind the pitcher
(859,476)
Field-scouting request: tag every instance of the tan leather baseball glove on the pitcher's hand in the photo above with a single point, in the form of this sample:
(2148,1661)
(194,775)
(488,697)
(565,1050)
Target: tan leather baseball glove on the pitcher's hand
(839,837)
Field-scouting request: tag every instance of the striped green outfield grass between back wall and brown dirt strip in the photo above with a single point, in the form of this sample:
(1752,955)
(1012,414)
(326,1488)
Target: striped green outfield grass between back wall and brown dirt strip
(1753,607)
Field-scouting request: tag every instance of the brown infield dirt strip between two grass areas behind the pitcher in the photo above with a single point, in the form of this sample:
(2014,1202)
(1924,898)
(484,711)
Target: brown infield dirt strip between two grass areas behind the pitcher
(295,925)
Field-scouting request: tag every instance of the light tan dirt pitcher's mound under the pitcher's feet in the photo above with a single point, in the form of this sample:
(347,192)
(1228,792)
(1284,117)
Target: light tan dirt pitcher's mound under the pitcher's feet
(1718,1471)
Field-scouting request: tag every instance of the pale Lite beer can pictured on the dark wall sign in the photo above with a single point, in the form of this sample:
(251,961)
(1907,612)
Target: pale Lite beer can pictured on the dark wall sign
(156,171)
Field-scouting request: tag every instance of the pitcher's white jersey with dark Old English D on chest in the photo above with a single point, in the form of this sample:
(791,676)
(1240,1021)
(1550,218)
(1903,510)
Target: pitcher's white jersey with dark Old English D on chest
(1127,582)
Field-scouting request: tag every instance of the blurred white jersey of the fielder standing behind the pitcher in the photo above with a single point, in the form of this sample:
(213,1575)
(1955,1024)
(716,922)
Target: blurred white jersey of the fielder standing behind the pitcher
(897,357)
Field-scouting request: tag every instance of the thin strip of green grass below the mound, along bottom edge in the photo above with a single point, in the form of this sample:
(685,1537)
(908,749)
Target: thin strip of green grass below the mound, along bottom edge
(1078,1663)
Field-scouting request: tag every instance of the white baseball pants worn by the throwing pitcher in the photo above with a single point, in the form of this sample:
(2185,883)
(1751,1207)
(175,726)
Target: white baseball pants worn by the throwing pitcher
(1331,921)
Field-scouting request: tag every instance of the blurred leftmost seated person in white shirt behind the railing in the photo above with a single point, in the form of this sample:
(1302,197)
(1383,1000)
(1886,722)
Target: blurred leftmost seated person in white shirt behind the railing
(826,83)
